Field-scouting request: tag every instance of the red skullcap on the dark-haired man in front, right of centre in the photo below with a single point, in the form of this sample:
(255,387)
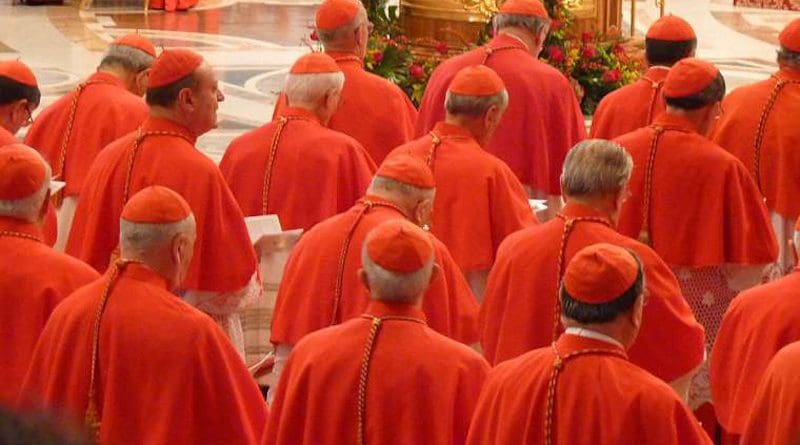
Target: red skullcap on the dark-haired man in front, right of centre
(600,273)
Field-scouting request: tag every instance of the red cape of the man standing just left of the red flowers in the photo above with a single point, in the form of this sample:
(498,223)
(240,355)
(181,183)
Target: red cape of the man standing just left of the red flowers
(373,110)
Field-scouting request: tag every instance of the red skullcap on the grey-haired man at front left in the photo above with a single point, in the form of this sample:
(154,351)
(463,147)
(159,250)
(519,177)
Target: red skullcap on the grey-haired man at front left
(156,205)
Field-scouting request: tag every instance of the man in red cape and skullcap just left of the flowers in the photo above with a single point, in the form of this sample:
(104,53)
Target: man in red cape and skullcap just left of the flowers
(373,110)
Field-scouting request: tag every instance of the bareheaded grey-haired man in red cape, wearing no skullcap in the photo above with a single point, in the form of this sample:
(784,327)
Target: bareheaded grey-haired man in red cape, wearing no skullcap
(521,309)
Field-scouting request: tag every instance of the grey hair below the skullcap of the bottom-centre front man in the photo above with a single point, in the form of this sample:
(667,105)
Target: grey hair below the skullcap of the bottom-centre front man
(396,287)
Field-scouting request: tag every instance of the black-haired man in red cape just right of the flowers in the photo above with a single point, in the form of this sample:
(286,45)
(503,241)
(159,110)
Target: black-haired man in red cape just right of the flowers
(668,40)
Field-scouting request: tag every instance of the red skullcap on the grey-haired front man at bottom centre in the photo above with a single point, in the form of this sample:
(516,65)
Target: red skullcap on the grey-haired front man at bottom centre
(399,246)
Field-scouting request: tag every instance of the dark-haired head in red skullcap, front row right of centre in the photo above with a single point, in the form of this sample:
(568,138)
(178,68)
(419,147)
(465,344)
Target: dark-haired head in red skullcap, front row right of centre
(601,282)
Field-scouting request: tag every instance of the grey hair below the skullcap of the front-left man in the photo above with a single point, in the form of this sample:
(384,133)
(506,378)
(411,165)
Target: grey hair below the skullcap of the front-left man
(140,238)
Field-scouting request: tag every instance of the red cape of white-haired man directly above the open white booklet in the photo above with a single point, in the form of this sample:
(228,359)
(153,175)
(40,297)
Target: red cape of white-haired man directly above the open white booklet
(296,168)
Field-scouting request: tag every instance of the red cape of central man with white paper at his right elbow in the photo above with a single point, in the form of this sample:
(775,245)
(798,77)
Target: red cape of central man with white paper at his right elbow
(478,200)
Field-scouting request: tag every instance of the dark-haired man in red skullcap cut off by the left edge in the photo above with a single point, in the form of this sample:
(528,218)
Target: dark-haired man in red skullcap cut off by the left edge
(20,94)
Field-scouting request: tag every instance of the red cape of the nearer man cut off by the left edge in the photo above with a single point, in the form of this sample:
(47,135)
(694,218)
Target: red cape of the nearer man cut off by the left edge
(35,279)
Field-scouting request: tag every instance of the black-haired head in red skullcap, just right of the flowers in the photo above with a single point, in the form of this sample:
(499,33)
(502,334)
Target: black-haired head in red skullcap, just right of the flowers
(668,40)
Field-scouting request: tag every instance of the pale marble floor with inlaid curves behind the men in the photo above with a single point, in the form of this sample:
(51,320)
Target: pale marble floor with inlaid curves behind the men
(251,43)
